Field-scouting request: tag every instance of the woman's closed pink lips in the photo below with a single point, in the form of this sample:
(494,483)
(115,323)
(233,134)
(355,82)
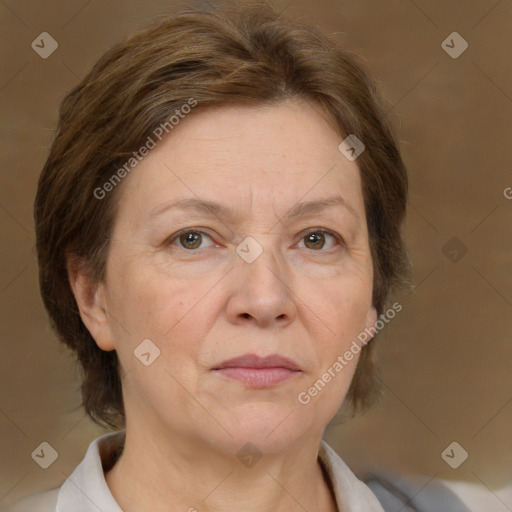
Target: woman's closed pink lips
(259,372)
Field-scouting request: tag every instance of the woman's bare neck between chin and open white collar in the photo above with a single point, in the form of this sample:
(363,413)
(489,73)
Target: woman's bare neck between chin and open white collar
(185,475)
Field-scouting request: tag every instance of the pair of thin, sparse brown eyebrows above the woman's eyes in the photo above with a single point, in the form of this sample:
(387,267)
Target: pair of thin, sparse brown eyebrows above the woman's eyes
(212,208)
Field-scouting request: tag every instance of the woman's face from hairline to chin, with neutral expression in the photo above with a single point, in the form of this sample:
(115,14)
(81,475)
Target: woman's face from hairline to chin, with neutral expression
(241,235)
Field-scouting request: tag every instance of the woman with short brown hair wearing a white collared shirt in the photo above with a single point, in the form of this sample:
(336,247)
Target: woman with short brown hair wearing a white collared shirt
(218,228)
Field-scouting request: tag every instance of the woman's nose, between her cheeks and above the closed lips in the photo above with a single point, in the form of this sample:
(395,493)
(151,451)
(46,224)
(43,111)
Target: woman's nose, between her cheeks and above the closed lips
(262,292)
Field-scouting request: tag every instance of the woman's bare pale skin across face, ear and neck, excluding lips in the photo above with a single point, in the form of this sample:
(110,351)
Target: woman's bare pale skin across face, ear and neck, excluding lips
(201,303)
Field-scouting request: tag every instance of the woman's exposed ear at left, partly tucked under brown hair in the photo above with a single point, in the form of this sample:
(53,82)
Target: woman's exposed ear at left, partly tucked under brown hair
(90,298)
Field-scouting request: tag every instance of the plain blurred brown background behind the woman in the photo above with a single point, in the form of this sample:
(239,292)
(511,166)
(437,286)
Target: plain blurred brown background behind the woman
(445,358)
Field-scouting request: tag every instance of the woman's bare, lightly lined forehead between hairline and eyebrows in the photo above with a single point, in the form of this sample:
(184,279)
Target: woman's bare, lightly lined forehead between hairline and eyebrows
(242,156)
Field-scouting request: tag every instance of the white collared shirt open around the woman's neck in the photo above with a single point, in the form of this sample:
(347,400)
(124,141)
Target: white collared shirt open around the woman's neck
(86,489)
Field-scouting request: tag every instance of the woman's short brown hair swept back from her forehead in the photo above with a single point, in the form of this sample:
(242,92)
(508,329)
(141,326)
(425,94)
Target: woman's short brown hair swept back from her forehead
(237,53)
